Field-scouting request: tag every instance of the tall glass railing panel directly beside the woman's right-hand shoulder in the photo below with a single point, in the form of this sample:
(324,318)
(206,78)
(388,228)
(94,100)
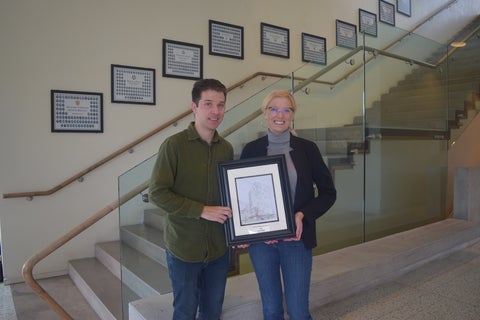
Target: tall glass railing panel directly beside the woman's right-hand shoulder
(327,113)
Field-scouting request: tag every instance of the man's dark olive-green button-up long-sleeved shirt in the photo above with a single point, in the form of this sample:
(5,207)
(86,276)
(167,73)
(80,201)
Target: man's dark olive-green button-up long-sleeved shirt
(183,180)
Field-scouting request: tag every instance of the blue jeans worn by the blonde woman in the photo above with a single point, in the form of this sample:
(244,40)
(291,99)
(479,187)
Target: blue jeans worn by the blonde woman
(295,263)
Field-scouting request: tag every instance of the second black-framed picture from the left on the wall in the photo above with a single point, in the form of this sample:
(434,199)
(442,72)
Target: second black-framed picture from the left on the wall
(133,85)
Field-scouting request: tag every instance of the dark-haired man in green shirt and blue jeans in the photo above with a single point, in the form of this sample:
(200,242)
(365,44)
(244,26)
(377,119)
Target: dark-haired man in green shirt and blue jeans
(184,184)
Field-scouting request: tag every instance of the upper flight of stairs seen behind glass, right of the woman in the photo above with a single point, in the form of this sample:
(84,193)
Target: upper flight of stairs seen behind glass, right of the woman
(414,108)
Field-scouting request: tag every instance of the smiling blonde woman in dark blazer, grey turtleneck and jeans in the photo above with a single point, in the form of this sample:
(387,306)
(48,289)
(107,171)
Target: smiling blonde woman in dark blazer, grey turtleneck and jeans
(293,256)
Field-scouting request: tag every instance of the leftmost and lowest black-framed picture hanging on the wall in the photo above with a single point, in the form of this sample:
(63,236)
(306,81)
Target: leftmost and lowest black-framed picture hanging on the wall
(76,111)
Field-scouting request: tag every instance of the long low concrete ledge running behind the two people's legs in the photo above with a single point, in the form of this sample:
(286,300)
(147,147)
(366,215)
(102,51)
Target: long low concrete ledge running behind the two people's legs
(339,274)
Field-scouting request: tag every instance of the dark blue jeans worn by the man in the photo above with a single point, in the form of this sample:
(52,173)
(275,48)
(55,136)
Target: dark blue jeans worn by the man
(197,285)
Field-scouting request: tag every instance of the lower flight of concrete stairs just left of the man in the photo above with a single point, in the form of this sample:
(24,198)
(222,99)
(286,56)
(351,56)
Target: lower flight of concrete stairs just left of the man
(126,270)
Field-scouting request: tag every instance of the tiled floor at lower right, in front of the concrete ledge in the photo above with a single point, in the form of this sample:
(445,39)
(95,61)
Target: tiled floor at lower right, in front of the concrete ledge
(445,289)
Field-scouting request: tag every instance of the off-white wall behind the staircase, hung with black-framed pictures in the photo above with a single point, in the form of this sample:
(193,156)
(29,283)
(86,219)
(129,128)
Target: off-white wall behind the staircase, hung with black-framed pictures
(70,45)
